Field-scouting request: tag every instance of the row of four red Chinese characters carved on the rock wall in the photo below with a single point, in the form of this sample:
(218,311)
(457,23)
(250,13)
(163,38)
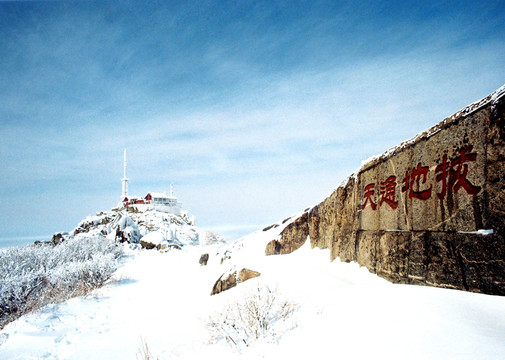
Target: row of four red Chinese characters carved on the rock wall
(452,174)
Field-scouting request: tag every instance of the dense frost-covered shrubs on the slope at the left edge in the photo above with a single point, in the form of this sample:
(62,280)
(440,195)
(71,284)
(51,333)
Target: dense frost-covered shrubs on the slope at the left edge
(33,276)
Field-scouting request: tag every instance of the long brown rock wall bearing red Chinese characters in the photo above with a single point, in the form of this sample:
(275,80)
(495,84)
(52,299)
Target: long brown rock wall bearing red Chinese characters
(430,211)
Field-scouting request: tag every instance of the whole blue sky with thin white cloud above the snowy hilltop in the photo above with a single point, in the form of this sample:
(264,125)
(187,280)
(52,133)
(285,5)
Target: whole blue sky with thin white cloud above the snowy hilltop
(254,110)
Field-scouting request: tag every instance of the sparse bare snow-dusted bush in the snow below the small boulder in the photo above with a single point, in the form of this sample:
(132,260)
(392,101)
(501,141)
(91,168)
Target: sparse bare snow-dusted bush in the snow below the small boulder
(262,315)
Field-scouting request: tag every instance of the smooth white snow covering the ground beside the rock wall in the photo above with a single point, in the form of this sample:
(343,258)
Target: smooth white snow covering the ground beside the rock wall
(342,311)
